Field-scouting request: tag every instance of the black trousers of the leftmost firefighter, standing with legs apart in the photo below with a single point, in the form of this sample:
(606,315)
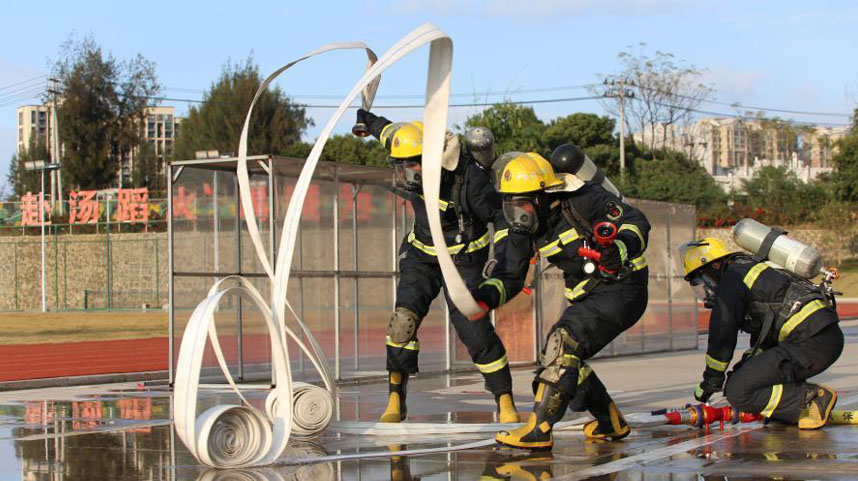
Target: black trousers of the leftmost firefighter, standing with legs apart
(419,284)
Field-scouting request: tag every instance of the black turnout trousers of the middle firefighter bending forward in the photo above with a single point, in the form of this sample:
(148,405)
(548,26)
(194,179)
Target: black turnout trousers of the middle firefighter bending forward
(595,321)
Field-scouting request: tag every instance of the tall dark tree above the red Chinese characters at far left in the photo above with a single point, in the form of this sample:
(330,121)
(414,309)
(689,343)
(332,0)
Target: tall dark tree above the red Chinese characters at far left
(101,108)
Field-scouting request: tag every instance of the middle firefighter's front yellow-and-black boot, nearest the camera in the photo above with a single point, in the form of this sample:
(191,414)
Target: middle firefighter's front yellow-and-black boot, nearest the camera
(549,407)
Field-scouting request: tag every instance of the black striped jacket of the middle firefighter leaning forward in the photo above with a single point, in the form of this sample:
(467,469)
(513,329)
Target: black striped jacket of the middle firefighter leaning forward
(570,220)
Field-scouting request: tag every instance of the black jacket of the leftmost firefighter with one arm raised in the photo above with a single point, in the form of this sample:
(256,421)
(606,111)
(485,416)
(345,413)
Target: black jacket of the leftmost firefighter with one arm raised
(466,195)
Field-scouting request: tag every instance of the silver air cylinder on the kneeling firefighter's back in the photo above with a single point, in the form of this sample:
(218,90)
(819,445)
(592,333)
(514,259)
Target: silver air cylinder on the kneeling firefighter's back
(794,256)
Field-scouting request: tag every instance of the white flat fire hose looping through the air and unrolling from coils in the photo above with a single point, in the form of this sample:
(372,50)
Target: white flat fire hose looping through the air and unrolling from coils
(238,436)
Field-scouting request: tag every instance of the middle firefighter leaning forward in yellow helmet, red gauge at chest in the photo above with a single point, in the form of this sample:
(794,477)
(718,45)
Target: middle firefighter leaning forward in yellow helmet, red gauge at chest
(570,222)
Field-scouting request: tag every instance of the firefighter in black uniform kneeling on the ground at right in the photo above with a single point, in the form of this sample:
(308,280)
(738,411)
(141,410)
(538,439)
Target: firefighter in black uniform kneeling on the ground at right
(794,335)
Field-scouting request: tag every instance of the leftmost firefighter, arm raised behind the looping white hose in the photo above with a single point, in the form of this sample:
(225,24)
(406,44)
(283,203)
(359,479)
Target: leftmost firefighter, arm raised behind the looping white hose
(468,203)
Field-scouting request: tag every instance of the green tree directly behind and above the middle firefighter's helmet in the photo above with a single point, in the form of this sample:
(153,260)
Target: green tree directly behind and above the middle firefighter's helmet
(515,127)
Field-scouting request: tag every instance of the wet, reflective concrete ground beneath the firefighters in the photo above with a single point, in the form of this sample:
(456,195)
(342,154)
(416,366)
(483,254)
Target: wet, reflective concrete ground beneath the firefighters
(123,432)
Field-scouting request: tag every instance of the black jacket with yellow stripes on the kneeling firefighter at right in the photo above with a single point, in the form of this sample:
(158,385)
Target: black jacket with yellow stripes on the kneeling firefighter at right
(748,293)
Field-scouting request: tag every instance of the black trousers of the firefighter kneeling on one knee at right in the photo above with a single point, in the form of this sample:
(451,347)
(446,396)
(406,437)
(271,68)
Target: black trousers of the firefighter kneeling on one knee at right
(772,383)
